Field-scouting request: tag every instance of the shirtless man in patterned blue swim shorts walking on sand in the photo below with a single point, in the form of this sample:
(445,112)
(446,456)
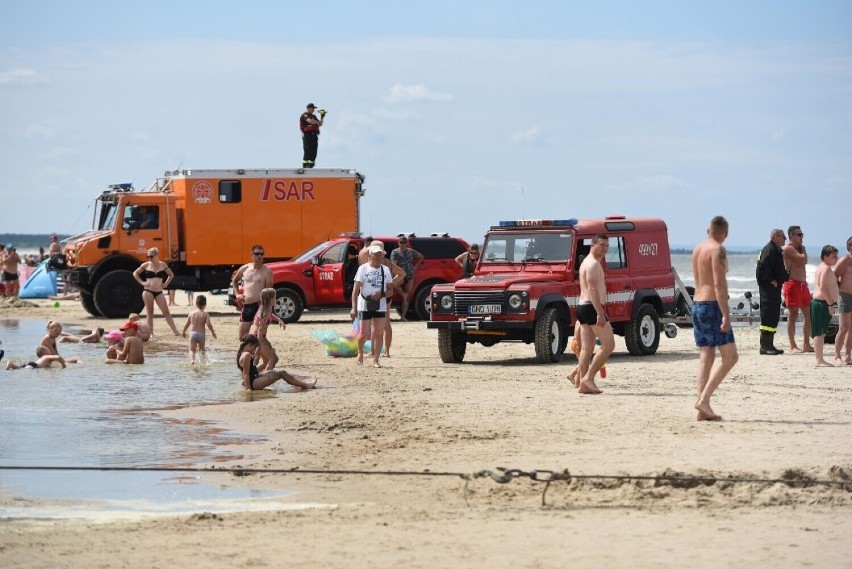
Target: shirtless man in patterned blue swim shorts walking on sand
(711,315)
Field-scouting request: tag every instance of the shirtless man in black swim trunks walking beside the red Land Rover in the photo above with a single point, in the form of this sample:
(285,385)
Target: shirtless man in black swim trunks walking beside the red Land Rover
(592,317)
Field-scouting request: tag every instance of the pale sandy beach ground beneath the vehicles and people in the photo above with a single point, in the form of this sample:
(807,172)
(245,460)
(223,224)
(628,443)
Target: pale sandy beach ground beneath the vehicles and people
(415,424)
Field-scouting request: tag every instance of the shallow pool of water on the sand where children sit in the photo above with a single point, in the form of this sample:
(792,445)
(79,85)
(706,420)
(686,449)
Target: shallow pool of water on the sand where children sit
(96,415)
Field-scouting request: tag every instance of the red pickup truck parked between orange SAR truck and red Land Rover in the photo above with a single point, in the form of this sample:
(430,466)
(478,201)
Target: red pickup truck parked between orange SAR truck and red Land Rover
(323,276)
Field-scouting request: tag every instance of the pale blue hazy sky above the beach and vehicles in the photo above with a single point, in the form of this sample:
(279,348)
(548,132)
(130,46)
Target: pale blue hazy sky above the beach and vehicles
(460,114)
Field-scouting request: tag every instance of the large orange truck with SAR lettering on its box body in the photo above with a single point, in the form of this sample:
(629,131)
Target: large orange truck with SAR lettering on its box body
(204,223)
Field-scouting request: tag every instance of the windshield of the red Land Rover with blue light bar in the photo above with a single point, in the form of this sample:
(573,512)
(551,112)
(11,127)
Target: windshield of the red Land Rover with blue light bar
(533,247)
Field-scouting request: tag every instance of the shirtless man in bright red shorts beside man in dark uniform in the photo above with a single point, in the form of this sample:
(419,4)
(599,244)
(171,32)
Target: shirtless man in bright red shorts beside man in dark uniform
(796,293)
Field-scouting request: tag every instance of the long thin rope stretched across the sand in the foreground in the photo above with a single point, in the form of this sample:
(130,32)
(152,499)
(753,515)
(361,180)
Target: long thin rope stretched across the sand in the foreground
(791,478)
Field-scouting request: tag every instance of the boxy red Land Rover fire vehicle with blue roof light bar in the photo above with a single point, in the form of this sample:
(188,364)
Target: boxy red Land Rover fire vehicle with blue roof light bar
(526,286)
